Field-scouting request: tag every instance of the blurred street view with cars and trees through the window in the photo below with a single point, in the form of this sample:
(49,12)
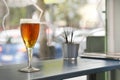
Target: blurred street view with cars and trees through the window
(86,18)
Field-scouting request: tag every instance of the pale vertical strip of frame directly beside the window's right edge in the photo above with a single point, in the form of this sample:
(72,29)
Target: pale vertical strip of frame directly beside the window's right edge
(110,25)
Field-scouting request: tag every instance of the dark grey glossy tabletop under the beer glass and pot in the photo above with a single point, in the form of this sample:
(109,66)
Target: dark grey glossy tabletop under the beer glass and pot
(58,69)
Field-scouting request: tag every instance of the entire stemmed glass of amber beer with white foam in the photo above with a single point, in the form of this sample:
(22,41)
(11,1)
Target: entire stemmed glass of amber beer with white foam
(29,31)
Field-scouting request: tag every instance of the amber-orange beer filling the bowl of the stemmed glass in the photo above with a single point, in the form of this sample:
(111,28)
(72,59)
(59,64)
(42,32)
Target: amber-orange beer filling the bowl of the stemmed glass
(30,32)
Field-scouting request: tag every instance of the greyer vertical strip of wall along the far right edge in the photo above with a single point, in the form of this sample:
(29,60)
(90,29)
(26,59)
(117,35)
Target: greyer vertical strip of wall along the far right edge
(117,25)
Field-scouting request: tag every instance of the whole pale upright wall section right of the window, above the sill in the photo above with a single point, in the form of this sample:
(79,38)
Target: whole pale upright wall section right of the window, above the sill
(113,25)
